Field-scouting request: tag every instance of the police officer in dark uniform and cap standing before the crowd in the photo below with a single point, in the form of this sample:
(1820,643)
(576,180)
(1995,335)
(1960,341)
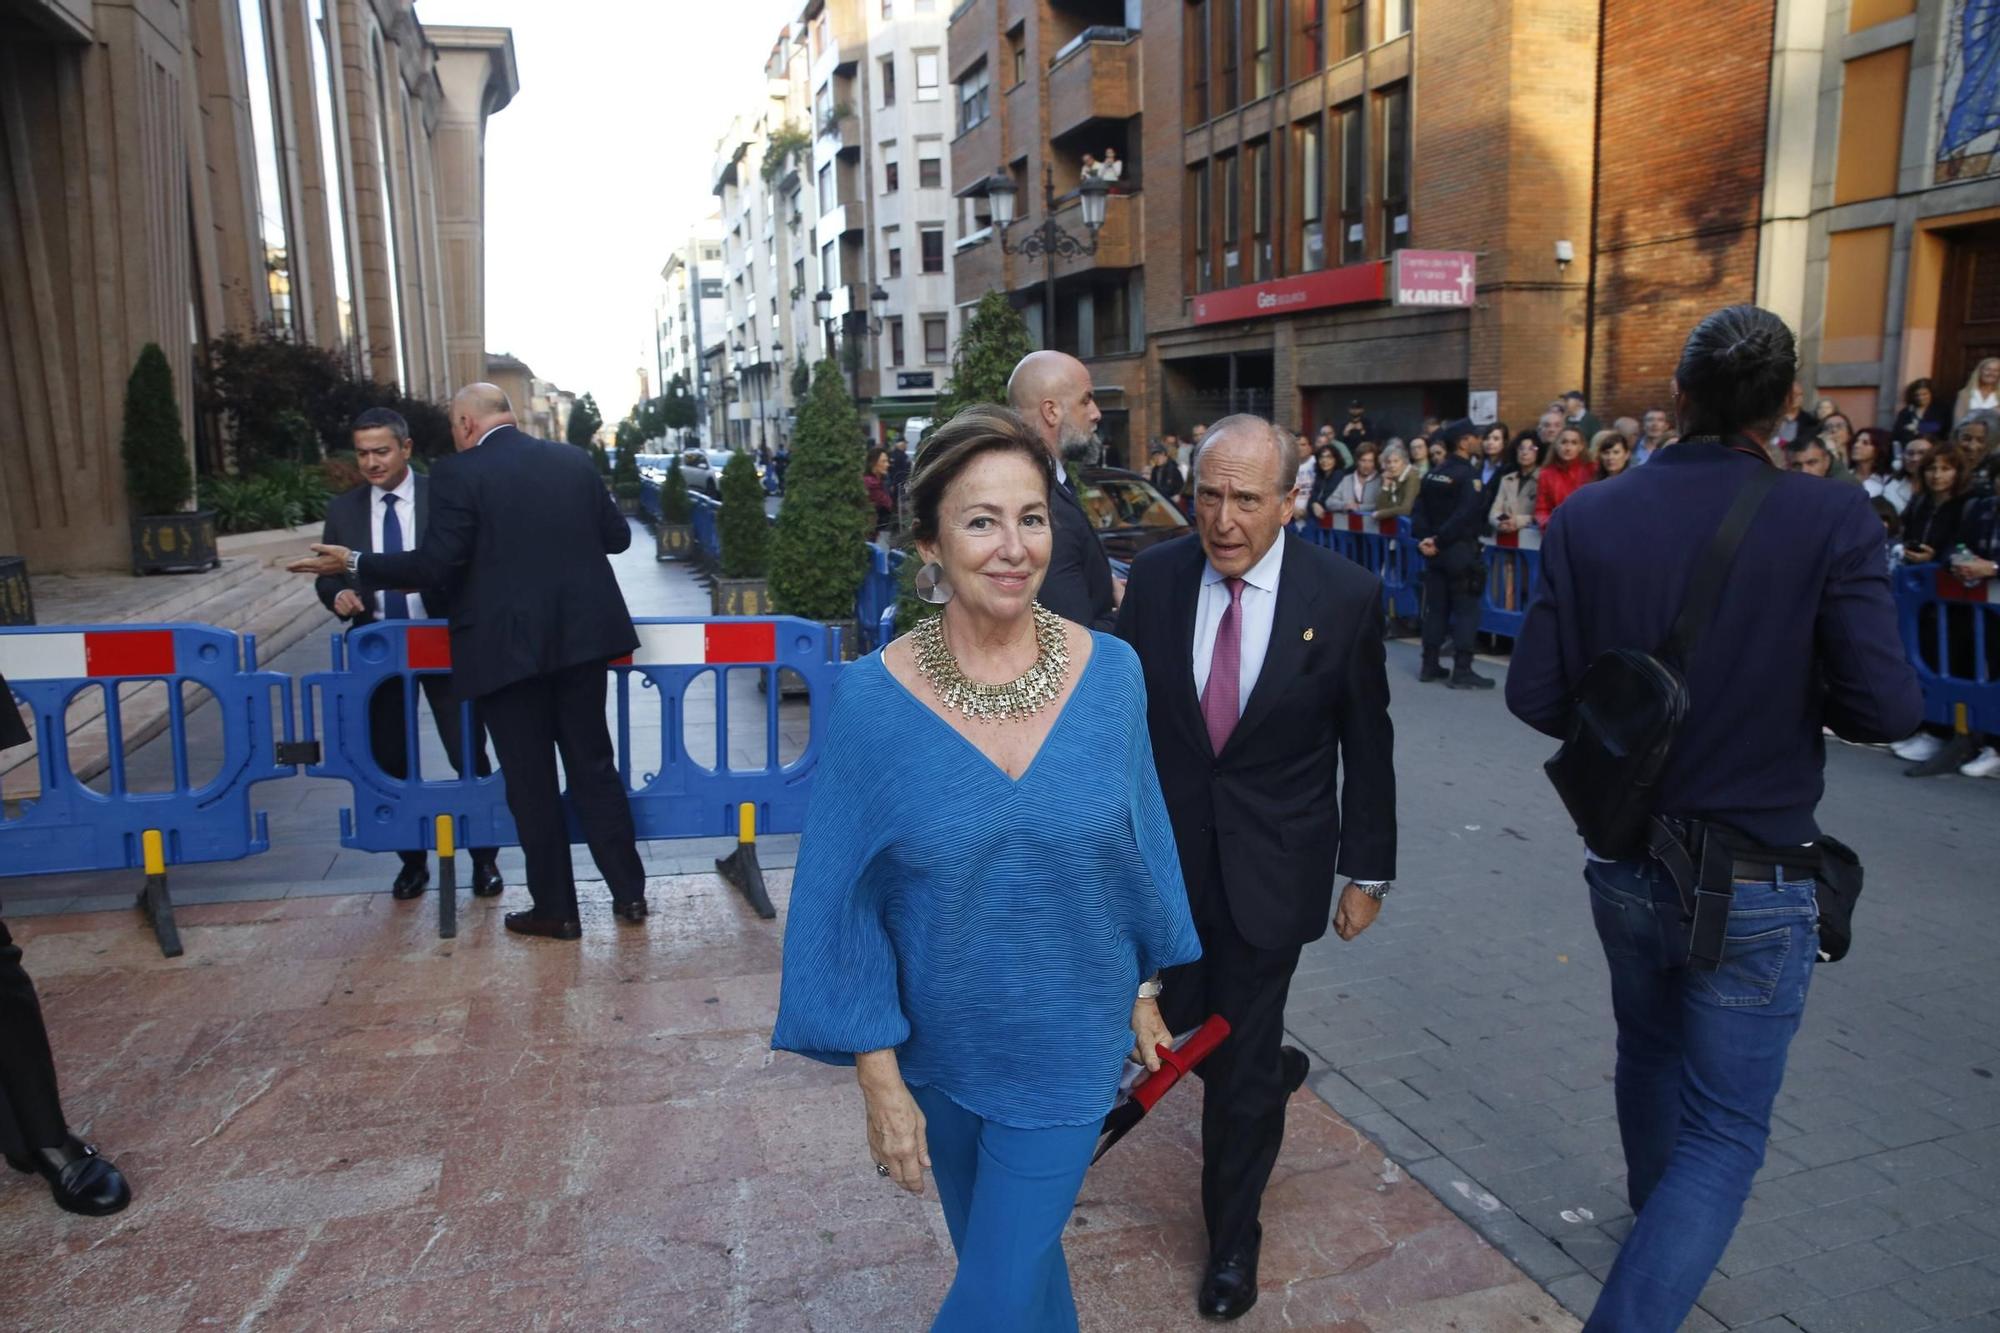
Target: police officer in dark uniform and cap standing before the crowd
(1447,527)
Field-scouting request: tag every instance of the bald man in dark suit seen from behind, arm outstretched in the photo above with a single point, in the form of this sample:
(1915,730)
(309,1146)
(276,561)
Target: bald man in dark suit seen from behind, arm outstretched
(523,529)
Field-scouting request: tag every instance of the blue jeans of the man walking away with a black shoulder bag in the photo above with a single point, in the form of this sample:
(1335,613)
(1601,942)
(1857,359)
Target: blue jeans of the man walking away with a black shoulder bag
(1701,1058)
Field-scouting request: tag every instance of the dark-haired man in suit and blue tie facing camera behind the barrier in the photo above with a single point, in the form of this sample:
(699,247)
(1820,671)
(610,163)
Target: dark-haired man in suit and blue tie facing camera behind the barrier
(391,513)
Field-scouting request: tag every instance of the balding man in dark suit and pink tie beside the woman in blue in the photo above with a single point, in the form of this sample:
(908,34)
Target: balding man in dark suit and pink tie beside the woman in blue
(1265,674)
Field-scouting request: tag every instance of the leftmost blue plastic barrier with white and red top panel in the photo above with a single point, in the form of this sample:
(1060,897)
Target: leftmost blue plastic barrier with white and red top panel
(73,828)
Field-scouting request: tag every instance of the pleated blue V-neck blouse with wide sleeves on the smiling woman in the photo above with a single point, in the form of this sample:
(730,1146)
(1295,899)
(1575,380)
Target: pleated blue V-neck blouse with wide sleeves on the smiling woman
(991,930)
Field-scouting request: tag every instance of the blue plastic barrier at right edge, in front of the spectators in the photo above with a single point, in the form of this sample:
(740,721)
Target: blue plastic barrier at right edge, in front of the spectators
(1951,633)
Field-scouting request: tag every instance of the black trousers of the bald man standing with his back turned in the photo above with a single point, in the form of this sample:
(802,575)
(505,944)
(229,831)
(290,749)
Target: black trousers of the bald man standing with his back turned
(531,722)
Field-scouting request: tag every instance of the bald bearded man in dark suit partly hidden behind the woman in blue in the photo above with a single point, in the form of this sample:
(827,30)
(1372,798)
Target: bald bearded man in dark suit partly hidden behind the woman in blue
(1053,395)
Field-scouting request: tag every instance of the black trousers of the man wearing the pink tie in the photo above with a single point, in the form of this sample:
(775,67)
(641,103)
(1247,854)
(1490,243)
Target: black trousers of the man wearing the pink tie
(1243,1102)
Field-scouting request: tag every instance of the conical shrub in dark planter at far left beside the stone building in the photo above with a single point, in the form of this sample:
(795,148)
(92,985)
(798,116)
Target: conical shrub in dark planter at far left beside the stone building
(167,535)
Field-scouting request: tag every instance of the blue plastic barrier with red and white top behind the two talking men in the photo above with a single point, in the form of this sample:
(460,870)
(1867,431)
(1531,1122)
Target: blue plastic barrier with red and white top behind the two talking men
(673,794)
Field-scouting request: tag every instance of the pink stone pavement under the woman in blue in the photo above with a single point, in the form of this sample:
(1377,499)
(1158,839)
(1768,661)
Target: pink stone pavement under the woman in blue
(337,1122)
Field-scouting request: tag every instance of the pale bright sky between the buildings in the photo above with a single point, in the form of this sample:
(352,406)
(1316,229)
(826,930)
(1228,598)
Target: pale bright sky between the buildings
(601,163)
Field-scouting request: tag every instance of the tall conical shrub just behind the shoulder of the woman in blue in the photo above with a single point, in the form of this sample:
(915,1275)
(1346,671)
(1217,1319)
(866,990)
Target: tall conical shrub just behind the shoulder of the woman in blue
(819,547)
